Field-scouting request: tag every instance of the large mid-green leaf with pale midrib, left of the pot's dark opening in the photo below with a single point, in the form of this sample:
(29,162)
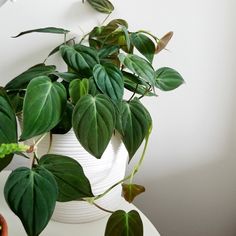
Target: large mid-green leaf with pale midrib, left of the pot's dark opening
(43,107)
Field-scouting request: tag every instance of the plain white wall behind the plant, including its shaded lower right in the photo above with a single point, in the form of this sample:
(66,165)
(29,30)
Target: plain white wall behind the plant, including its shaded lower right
(189,172)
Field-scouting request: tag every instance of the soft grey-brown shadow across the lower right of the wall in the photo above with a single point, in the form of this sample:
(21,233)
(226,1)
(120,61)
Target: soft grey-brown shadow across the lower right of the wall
(197,201)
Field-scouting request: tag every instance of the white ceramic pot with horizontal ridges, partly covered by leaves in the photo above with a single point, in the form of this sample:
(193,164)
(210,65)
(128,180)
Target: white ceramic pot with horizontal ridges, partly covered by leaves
(102,174)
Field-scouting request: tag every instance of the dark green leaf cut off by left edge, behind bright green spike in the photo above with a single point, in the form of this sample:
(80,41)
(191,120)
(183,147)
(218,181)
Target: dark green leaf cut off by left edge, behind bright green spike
(8,128)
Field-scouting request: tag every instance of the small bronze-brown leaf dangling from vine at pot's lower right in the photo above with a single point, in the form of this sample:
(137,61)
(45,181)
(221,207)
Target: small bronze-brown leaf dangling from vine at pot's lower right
(130,191)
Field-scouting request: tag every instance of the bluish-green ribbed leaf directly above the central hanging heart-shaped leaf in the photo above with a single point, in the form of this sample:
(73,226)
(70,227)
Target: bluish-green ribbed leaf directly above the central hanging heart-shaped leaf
(109,80)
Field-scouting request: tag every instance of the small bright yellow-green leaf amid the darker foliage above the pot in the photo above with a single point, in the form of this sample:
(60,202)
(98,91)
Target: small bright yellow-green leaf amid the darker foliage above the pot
(77,89)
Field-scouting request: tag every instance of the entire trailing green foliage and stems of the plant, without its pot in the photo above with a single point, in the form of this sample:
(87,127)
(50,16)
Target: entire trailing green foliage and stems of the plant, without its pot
(88,100)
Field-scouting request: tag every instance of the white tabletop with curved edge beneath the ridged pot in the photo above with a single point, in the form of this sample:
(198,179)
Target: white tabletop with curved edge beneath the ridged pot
(96,228)
